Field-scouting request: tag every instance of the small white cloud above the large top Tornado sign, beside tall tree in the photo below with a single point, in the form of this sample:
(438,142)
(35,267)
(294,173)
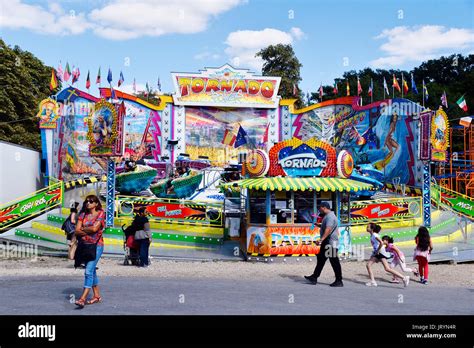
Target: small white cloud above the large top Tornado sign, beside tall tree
(242,45)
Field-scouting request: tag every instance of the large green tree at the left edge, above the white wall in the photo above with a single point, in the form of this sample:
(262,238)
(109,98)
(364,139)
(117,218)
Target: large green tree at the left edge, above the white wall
(24,82)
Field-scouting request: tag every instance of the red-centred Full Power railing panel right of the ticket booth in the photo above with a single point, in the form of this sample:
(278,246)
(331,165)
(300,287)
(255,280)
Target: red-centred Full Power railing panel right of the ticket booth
(385,210)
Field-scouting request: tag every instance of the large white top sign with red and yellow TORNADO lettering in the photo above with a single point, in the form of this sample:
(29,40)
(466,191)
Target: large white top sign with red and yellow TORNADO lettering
(226,86)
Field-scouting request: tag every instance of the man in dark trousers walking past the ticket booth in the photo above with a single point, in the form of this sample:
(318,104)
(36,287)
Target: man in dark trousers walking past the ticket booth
(328,242)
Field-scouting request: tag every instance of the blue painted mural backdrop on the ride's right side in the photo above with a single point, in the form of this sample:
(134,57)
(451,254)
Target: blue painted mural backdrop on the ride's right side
(380,135)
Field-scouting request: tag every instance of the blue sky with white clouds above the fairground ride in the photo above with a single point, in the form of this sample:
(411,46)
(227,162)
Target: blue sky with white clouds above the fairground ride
(148,39)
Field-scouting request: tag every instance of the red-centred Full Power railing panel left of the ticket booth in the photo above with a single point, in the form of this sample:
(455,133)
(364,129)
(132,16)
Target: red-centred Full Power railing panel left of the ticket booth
(172,210)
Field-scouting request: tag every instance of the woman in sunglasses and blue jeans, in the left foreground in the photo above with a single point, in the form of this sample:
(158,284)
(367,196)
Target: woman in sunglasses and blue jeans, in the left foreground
(89,228)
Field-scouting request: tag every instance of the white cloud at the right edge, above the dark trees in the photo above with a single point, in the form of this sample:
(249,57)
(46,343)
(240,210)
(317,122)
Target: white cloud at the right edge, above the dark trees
(416,44)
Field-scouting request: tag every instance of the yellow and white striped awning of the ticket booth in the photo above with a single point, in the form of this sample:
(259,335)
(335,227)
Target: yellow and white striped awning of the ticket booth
(302,184)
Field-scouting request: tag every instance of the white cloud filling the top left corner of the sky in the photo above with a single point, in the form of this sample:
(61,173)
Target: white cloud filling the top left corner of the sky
(16,15)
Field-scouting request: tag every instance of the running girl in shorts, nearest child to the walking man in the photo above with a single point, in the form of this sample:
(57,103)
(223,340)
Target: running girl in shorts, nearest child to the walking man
(380,255)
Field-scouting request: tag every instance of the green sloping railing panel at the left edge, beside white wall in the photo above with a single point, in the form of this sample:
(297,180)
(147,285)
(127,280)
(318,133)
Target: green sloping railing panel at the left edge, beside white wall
(30,206)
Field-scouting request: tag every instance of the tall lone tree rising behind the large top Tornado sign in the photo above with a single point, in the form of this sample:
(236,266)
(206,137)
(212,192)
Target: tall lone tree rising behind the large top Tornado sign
(280,60)
